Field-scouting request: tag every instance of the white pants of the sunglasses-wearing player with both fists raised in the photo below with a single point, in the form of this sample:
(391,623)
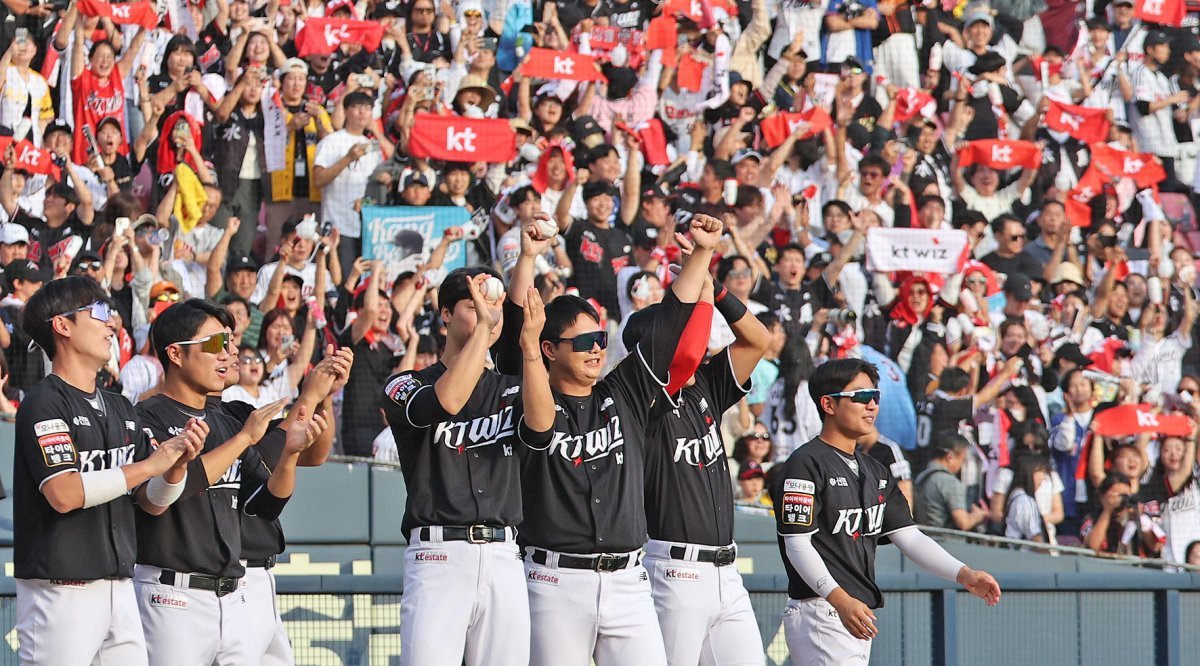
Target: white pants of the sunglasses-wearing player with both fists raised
(580,616)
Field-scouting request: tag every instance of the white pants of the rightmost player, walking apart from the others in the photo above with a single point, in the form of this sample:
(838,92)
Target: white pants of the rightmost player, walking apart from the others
(817,638)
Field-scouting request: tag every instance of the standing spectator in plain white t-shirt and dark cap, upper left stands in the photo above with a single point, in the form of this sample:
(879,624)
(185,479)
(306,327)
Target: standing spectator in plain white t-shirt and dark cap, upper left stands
(345,163)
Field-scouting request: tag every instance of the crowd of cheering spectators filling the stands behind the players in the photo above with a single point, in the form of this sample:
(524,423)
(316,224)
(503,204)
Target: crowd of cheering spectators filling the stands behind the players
(137,155)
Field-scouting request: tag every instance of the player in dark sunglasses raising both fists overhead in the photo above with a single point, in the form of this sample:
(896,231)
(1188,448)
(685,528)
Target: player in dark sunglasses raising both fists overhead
(590,597)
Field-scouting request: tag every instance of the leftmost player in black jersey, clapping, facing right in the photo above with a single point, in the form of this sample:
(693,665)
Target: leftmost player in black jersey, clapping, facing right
(74,469)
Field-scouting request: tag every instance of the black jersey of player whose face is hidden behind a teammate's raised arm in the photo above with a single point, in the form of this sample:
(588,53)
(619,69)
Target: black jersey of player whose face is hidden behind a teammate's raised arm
(688,494)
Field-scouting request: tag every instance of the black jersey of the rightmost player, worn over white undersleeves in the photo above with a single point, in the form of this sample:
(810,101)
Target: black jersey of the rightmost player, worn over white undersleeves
(818,491)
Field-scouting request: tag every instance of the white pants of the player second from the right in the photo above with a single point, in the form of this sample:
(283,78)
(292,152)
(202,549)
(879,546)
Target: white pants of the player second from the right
(704,610)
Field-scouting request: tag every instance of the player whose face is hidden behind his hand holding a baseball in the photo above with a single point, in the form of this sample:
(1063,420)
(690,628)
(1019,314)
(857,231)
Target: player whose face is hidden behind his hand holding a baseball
(455,427)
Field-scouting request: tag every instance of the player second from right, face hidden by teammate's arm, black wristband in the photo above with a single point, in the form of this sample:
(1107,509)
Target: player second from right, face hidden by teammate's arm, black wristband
(704,609)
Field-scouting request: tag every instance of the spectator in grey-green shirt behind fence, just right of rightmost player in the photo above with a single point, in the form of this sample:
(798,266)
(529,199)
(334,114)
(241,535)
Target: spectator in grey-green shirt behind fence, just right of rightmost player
(941,497)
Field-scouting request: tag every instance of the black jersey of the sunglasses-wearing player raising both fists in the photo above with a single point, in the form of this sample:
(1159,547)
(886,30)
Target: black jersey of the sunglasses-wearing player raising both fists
(585,481)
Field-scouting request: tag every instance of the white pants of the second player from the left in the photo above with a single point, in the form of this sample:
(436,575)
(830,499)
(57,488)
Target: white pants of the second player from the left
(191,627)
